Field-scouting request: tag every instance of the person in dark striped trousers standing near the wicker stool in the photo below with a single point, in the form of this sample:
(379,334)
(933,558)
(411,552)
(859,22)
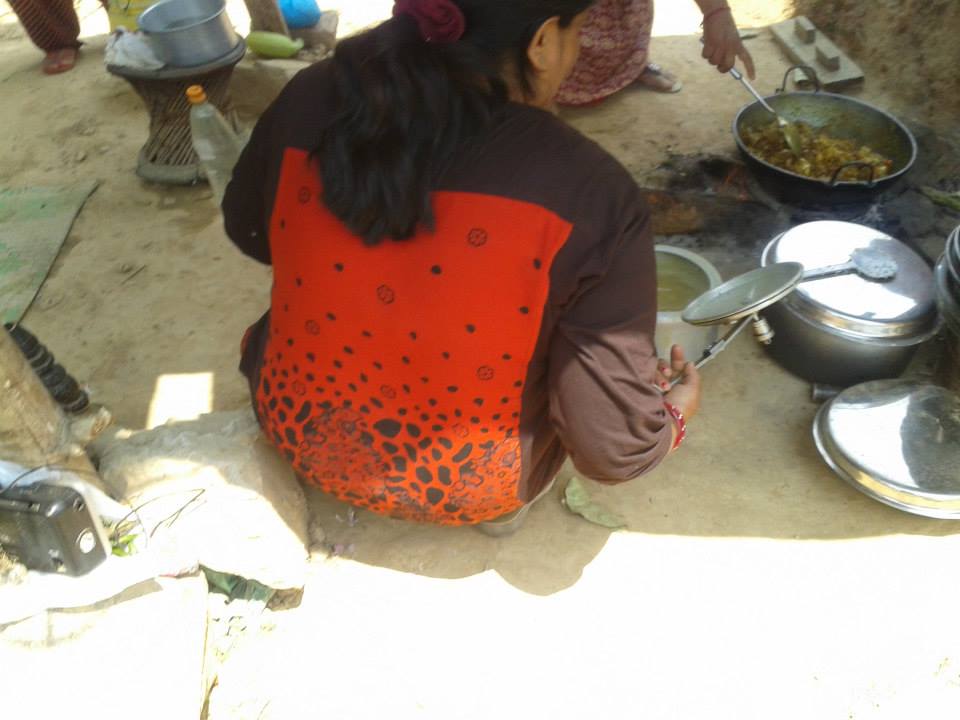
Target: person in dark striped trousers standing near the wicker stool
(54,27)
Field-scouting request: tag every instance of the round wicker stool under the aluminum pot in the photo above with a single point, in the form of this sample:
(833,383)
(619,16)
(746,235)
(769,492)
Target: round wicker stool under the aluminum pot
(168,157)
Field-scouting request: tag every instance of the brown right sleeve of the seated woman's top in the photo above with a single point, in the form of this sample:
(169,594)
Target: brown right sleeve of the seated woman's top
(603,403)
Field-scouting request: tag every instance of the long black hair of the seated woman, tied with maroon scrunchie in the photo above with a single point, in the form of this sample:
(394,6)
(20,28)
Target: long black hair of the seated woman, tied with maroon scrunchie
(405,105)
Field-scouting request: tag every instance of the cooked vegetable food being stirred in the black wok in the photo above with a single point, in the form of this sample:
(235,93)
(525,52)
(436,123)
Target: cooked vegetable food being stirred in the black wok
(821,154)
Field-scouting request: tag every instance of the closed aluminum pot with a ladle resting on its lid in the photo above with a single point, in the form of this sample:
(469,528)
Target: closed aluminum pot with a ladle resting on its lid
(845,330)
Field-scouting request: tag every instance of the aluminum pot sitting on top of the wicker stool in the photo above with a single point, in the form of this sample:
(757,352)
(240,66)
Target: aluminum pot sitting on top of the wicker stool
(189,33)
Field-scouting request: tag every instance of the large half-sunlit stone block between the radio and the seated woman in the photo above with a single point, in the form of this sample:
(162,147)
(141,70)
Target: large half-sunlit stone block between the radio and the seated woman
(216,488)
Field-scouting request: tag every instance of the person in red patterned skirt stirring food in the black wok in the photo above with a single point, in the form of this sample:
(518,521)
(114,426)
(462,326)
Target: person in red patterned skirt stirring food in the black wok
(615,50)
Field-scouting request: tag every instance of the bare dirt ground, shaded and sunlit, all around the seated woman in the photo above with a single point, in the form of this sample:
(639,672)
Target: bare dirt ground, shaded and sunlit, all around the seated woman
(751,583)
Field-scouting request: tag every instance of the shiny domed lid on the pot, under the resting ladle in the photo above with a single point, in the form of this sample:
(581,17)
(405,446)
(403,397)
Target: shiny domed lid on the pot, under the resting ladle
(902,307)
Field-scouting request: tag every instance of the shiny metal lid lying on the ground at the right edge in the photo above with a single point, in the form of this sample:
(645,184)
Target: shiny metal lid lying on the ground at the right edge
(897,441)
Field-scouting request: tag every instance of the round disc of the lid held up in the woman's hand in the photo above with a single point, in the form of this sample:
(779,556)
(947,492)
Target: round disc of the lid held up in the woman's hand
(744,295)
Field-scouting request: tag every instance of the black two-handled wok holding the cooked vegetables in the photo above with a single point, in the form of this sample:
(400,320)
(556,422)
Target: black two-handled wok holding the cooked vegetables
(845,118)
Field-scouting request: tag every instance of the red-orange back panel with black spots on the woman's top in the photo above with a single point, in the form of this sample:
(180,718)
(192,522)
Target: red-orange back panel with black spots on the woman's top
(393,375)
